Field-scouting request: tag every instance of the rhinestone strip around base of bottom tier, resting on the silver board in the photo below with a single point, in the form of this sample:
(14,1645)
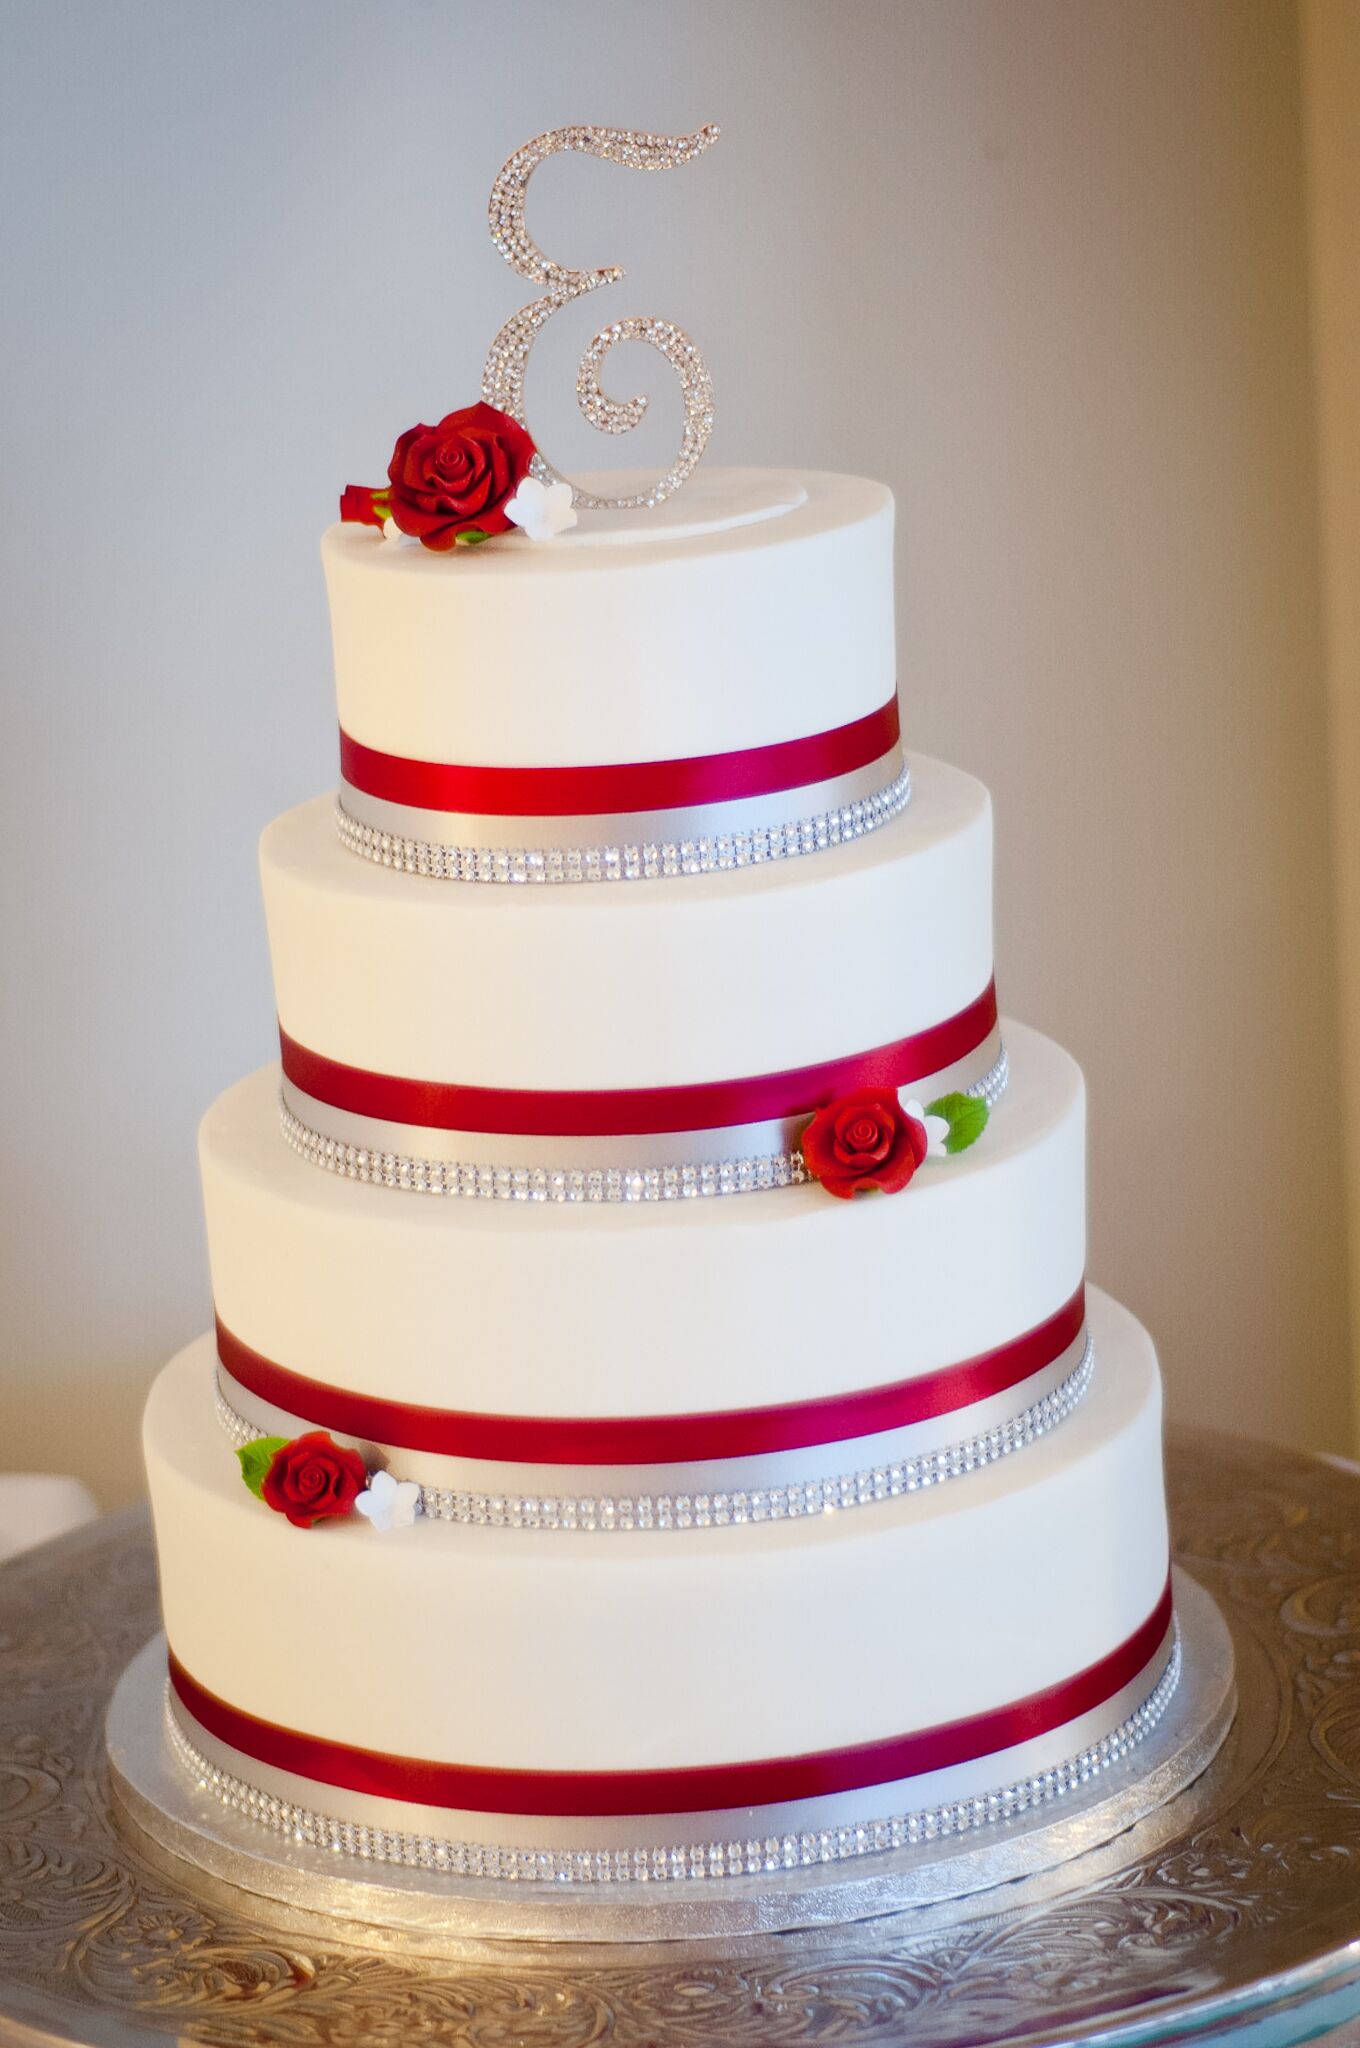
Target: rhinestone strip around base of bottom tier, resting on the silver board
(652,1865)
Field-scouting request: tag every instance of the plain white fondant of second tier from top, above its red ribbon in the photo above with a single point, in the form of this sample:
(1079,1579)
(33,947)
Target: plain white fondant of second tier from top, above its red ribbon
(704,978)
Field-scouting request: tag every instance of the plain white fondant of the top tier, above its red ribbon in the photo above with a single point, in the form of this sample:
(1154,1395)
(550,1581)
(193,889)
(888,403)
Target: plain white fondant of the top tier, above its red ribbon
(757,609)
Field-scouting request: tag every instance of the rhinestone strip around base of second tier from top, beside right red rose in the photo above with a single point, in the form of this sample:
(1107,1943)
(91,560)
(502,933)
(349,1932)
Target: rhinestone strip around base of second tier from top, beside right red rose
(572,1185)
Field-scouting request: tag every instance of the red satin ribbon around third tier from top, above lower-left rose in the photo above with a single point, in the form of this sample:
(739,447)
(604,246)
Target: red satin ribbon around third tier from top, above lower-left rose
(654,1439)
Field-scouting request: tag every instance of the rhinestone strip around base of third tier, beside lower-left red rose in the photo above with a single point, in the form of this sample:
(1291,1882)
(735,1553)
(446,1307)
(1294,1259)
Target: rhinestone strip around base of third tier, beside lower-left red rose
(753,1504)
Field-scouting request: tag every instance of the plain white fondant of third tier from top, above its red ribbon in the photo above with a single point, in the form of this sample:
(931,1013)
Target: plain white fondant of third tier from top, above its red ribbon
(636,1310)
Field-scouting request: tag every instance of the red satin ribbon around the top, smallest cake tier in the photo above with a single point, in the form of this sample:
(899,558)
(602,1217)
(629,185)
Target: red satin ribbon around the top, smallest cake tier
(622,785)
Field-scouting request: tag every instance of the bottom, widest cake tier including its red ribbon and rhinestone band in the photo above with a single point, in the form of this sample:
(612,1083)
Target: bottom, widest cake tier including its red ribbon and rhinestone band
(685,1703)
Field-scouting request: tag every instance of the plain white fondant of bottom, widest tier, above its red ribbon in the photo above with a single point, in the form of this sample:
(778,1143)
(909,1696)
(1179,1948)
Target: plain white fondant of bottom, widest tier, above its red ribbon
(630,1652)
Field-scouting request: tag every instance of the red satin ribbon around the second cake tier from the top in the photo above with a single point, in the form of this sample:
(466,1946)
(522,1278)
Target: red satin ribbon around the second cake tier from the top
(601,1113)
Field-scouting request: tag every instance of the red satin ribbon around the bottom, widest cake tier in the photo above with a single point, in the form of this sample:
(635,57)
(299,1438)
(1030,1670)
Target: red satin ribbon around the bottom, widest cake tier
(693,1789)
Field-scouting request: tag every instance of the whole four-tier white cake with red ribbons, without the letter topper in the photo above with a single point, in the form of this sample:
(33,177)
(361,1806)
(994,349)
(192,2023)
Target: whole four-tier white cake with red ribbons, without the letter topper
(585,1490)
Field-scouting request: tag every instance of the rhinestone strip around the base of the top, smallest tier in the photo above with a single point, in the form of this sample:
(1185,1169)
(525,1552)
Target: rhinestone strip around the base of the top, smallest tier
(644,861)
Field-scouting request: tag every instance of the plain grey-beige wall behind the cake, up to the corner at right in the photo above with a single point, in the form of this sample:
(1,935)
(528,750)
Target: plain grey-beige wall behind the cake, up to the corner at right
(1039,265)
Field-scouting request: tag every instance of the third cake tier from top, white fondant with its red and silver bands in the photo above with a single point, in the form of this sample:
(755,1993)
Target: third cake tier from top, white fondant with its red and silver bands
(587,1353)
